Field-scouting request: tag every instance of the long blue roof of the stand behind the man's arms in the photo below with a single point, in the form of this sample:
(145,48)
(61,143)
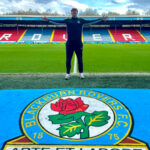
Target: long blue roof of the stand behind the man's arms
(20,19)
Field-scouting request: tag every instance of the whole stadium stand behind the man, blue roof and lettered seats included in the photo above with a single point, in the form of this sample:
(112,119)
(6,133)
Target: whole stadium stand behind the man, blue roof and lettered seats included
(27,29)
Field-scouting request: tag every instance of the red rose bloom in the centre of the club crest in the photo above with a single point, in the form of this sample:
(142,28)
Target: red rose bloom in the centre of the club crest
(69,106)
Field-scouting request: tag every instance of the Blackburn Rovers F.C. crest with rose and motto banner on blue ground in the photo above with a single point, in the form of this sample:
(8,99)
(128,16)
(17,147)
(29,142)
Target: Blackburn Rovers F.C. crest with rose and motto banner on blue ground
(75,119)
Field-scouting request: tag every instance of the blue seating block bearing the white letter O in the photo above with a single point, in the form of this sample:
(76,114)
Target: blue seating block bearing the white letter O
(37,35)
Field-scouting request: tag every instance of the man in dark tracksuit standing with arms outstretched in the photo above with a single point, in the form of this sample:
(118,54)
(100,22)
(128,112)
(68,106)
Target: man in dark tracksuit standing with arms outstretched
(74,38)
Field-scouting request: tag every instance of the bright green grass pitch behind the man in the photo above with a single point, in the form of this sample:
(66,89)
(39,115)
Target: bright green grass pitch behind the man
(50,58)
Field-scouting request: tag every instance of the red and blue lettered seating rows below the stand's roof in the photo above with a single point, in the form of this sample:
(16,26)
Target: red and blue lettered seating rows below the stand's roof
(47,35)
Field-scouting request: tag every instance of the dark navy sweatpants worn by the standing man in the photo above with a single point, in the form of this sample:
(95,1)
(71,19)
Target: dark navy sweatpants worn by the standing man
(70,48)
